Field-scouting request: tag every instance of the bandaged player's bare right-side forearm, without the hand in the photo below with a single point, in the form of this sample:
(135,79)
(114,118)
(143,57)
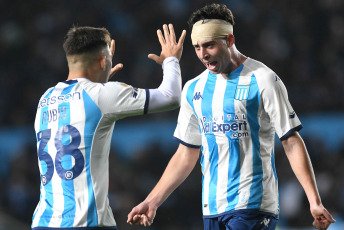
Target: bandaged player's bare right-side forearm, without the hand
(302,167)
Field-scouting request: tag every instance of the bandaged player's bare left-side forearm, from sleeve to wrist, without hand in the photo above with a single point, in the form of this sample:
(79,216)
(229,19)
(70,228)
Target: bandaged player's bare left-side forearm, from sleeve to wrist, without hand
(177,170)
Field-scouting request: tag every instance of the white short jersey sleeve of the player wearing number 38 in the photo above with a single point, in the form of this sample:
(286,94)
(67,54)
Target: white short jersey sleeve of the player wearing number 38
(121,100)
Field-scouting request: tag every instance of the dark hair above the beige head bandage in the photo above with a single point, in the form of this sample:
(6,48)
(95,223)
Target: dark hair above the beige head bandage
(212,11)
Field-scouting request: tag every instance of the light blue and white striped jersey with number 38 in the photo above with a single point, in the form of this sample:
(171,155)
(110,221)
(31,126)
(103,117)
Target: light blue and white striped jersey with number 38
(74,125)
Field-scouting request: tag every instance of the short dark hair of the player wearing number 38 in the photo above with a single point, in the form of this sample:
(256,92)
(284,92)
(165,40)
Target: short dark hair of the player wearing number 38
(79,40)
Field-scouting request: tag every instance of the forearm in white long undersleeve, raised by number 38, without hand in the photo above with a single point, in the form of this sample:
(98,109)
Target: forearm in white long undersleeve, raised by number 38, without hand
(167,95)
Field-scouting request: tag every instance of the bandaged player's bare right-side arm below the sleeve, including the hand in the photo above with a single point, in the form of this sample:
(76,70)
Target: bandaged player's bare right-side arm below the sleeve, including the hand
(302,167)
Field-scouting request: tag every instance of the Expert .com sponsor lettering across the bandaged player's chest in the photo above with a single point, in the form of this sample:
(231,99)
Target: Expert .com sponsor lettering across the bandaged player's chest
(236,124)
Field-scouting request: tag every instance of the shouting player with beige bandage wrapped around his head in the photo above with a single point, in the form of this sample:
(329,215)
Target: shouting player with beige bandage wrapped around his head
(231,112)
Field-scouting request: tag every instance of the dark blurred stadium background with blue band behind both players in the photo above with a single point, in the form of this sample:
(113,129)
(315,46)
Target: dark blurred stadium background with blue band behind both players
(302,41)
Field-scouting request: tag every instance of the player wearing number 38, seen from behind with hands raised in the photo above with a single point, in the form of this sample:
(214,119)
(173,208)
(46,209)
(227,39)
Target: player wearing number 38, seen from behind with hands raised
(75,121)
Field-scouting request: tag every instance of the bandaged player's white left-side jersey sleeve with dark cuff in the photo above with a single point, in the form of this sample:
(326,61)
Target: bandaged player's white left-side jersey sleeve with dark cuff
(187,130)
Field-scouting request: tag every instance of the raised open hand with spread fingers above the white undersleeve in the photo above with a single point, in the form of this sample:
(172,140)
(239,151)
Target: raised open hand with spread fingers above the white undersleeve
(169,46)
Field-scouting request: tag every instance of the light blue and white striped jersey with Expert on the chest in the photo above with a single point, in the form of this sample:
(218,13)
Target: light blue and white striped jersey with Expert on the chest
(234,117)
